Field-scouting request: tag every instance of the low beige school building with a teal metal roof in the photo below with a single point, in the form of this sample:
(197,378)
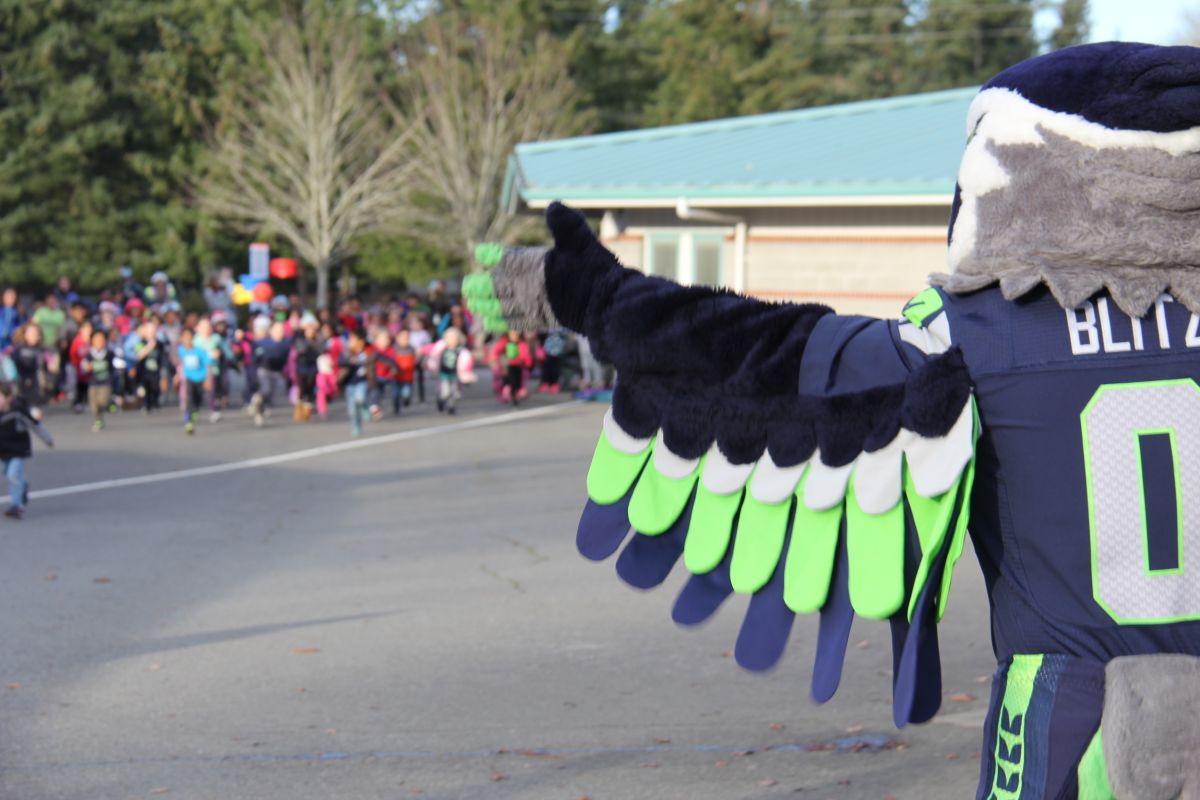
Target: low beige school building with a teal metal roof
(845,206)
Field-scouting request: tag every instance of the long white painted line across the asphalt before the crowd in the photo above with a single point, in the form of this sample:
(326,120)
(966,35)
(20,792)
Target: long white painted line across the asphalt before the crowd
(298,455)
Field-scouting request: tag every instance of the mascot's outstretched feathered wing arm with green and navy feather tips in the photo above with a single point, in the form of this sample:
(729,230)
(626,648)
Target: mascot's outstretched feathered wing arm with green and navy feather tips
(815,462)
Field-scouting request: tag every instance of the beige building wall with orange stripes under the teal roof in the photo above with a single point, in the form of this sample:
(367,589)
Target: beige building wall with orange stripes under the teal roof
(859,261)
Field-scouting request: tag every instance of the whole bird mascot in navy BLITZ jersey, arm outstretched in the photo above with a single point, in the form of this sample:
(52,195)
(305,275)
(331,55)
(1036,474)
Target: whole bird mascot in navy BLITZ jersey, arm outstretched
(1045,394)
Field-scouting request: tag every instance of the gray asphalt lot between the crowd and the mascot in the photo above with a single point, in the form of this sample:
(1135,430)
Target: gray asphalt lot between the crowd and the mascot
(407,618)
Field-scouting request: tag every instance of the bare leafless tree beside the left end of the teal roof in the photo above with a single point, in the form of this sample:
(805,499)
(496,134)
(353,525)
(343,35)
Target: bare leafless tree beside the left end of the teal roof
(477,87)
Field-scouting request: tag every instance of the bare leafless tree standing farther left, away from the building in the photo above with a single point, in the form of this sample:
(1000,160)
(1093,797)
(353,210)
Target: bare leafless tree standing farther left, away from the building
(310,151)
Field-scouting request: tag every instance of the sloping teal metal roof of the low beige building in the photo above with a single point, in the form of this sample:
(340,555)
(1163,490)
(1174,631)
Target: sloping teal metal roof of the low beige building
(901,146)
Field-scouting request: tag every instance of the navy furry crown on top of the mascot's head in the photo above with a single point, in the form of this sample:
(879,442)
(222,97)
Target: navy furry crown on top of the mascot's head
(1117,85)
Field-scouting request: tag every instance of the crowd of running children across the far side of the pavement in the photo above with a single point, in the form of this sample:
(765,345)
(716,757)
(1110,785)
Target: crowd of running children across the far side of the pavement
(137,350)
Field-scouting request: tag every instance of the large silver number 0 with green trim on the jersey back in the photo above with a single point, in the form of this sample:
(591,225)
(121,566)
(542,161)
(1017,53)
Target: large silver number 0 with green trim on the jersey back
(1135,434)
